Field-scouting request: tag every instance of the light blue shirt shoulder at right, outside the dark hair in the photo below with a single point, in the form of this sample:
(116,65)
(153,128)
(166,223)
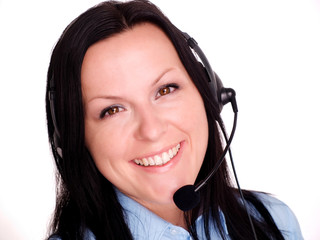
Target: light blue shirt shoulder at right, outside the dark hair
(282,215)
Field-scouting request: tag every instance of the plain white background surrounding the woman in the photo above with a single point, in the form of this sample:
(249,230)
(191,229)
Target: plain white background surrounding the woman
(268,51)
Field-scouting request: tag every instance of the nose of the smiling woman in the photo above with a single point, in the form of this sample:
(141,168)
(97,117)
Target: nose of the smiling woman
(151,124)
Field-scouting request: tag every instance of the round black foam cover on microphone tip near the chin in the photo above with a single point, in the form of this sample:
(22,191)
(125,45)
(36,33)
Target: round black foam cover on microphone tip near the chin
(186,198)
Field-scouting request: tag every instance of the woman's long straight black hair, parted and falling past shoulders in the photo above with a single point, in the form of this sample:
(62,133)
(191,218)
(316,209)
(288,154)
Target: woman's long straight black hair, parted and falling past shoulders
(85,199)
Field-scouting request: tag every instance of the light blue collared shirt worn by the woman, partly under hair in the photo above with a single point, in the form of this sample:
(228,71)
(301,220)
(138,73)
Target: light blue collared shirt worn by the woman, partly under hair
(145,225)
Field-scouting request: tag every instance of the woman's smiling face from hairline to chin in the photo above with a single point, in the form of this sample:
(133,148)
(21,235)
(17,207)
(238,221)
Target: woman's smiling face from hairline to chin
(145,122)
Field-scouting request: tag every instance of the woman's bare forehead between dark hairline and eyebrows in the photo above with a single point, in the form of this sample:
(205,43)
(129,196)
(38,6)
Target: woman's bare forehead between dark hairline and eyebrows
(142,52)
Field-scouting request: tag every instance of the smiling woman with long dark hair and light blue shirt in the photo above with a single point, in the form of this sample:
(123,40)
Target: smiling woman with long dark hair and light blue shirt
(131,119)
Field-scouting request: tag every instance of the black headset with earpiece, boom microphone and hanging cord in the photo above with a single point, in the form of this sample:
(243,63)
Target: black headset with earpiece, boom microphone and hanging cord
(187,197)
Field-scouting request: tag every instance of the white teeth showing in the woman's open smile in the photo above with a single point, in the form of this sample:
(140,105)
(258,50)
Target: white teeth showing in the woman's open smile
(159,159)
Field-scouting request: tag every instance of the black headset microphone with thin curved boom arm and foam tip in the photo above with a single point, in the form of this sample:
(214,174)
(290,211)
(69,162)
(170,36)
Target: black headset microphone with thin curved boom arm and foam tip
(188,197)
